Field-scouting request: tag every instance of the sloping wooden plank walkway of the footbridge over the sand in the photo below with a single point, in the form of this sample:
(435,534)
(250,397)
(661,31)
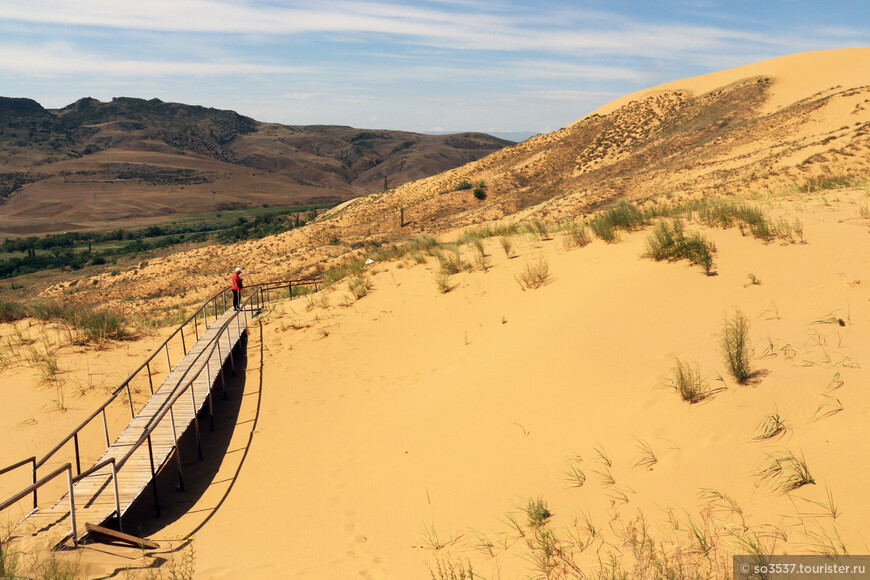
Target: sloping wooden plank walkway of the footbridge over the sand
(94,495)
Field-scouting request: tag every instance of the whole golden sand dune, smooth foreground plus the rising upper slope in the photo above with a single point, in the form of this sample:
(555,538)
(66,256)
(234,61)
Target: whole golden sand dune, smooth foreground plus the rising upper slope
(377,435)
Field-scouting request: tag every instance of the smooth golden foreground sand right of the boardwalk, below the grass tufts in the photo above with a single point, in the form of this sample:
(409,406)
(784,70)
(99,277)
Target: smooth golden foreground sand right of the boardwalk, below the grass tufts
(409,417)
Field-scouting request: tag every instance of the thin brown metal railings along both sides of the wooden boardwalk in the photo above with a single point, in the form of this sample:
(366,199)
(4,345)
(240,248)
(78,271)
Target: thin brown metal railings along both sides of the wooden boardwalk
(253,303)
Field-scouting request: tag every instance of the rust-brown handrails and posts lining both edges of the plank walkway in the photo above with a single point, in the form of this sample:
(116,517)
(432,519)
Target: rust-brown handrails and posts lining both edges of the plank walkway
(185,382)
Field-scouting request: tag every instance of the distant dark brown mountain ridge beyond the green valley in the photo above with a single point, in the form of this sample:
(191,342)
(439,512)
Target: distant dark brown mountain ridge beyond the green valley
(95,161)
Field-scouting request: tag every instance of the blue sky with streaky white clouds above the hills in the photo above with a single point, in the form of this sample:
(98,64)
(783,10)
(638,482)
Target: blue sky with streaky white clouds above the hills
(425,66)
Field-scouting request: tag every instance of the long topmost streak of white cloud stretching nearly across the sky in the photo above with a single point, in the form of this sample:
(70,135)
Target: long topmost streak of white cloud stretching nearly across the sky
(484,28)
